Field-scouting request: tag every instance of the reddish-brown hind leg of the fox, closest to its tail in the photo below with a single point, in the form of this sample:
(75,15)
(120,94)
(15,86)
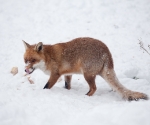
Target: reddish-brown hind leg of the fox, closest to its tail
(91,81)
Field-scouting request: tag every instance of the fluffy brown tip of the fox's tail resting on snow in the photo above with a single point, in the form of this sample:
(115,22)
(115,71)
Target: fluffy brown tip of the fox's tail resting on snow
(130,96)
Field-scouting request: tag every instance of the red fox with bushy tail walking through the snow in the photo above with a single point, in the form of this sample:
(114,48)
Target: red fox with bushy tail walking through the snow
(84,55)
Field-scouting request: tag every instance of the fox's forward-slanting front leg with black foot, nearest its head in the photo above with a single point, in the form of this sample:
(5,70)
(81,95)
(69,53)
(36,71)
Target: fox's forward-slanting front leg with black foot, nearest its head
(52,80)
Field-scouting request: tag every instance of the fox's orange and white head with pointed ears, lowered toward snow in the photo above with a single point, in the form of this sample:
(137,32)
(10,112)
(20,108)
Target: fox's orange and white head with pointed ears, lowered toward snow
(33,56)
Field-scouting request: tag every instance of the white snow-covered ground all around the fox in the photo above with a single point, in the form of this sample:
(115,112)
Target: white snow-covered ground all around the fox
(117,23)
